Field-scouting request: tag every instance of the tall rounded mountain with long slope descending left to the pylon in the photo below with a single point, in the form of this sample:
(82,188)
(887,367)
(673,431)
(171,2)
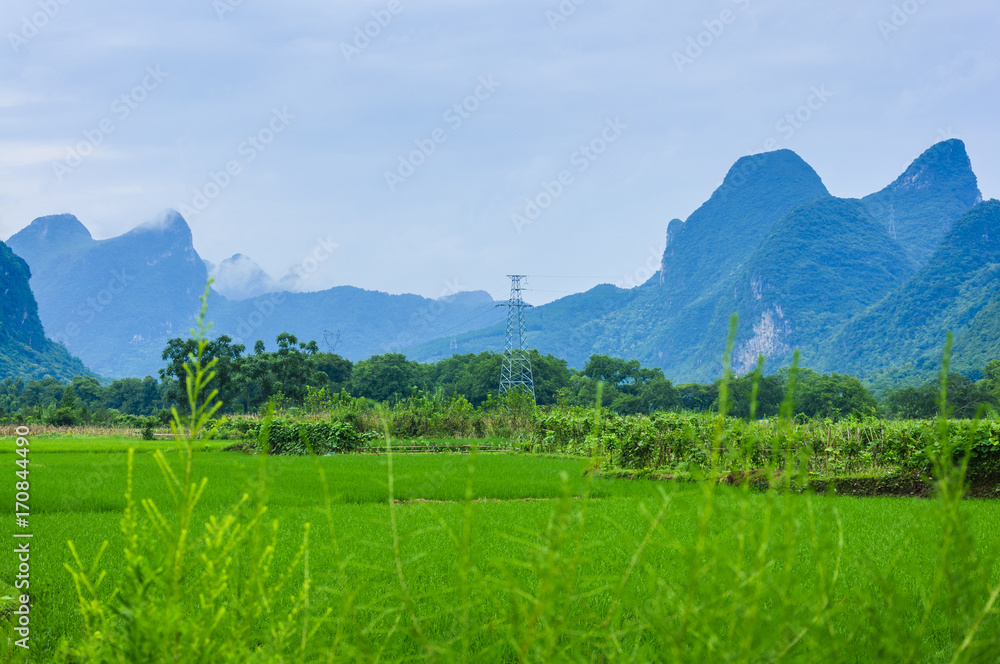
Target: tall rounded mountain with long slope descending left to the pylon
(664,322)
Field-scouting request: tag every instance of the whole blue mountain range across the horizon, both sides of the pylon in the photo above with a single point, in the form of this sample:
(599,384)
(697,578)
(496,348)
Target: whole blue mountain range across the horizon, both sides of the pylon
(865,286)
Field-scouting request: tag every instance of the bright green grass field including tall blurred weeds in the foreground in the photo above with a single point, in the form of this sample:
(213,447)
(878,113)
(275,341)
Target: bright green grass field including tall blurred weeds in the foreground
(547,566)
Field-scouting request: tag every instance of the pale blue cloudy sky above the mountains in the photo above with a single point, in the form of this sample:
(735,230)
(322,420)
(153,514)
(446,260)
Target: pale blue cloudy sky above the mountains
(441,145)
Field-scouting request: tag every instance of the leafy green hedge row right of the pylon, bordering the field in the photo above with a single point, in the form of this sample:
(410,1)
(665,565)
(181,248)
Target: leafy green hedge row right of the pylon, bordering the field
(687,442)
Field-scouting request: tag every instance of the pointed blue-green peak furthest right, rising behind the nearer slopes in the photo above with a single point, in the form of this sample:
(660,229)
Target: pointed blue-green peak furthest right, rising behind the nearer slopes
(921,205)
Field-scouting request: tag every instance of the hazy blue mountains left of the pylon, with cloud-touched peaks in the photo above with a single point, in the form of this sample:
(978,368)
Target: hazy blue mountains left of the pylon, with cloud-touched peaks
(116,302)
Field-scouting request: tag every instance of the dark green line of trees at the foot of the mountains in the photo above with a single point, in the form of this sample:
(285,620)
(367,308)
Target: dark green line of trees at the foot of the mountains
(248,381)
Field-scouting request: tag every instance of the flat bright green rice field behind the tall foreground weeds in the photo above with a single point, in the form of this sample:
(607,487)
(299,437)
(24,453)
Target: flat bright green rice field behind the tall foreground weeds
(507,557)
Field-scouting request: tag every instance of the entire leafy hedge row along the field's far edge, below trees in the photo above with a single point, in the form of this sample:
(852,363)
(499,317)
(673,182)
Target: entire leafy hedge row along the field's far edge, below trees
(677,442)
